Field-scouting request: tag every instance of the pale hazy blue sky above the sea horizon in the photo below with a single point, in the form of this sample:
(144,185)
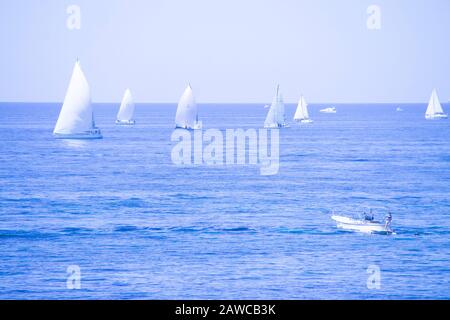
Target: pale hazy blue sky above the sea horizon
(228,50)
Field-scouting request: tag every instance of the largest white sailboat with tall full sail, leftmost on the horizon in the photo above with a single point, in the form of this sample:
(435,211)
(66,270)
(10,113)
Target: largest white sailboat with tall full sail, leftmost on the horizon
(76,118)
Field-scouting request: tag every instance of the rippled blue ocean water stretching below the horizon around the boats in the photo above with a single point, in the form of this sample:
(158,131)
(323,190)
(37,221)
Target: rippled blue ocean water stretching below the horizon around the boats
(140,227)
